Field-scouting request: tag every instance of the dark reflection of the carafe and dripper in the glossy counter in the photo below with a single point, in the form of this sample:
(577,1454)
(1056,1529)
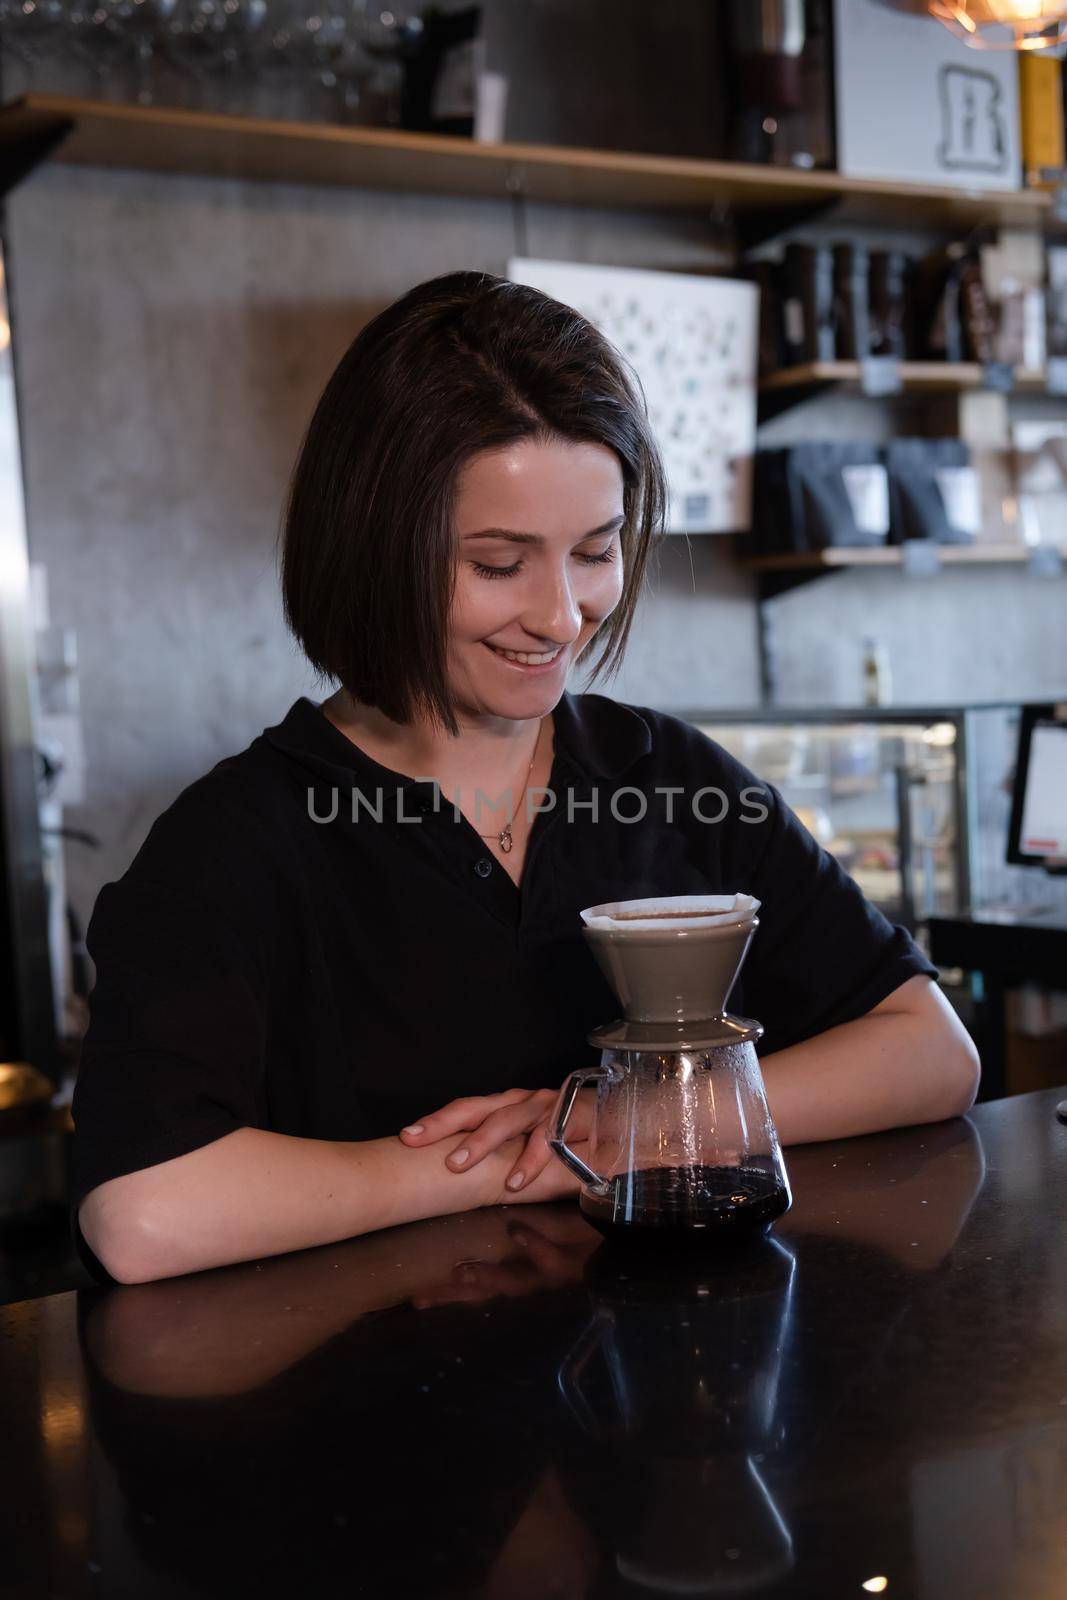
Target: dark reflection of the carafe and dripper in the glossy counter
(677,1377)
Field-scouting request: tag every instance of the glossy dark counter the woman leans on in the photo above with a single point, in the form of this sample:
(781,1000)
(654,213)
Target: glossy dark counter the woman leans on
(482,1406)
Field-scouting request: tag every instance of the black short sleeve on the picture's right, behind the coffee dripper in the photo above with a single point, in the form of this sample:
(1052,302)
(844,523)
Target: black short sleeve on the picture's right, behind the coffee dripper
(823,953)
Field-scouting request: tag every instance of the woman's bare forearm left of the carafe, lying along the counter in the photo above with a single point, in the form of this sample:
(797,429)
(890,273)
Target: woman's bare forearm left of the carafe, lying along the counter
(262,1194)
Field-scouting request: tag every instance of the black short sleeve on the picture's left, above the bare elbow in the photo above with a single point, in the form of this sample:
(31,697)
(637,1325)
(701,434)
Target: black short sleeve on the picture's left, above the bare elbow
(174,1052)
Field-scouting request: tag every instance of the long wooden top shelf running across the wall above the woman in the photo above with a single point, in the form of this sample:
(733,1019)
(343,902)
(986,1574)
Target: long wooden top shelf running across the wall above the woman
(166,140)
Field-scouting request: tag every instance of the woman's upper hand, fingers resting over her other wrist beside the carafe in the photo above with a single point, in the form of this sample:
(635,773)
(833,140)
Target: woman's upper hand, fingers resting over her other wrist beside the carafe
(495,1119)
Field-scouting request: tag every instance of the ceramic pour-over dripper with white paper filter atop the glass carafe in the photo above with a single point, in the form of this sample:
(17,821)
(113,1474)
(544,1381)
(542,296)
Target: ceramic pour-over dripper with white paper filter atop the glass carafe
(673,964)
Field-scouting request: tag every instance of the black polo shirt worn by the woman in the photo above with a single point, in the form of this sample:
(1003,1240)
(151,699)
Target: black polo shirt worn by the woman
(316,945)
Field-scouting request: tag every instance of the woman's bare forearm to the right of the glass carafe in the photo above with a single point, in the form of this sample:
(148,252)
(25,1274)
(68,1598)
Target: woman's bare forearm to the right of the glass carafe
(906,1062)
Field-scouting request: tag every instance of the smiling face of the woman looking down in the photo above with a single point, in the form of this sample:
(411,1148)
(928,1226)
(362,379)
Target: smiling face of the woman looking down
(540,567)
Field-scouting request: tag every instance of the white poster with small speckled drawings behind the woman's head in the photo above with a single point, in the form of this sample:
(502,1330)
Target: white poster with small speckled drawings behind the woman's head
(693,345)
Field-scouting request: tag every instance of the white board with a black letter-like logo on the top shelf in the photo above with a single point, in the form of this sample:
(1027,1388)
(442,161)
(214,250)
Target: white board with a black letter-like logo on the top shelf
(916,103)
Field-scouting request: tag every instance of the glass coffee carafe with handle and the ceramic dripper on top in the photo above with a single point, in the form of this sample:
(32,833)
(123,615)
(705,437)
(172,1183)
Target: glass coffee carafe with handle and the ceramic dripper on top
(682,1145)
